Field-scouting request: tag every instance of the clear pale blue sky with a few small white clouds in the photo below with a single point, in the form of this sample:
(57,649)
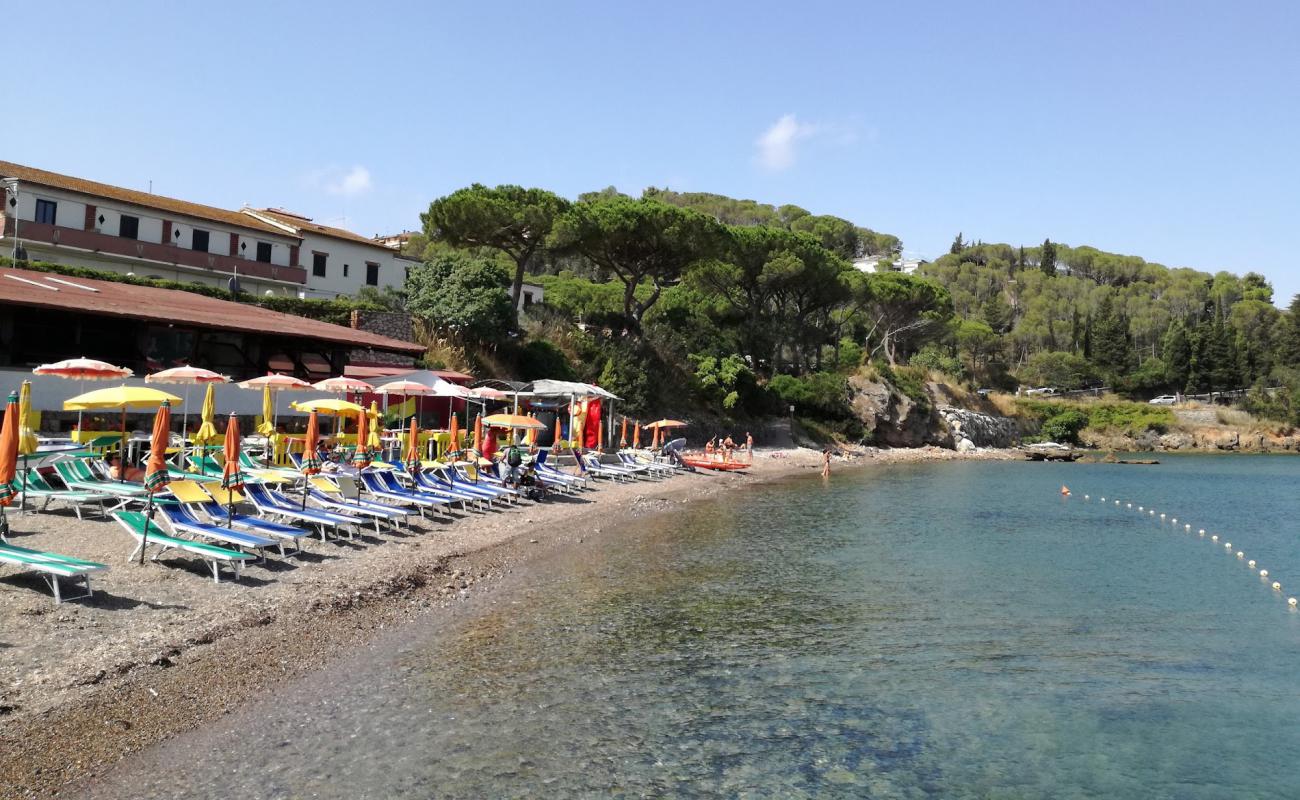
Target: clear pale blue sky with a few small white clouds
(1167,131)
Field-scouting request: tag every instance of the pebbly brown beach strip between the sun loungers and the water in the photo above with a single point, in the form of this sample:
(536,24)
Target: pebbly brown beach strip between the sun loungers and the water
(88,685)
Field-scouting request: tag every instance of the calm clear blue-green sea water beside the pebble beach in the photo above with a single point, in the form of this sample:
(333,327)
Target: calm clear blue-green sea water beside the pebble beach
(929,632)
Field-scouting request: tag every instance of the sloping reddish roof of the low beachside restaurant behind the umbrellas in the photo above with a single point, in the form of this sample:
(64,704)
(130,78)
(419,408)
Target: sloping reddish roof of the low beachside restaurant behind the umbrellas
(110,299)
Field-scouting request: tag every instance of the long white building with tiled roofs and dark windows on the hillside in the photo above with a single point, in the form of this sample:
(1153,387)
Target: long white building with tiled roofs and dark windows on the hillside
(80,223)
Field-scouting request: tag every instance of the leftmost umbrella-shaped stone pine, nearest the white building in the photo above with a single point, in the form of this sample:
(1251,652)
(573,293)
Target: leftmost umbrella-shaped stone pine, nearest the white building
(509,219)
